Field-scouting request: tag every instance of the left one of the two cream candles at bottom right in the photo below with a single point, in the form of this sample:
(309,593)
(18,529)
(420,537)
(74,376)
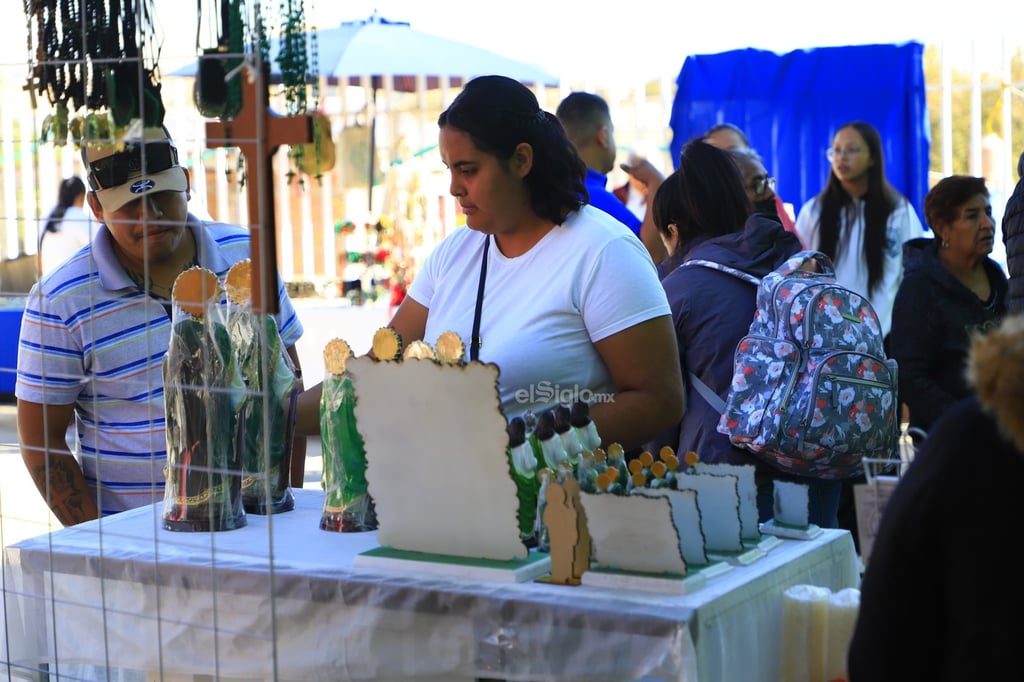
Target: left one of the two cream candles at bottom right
(804,622)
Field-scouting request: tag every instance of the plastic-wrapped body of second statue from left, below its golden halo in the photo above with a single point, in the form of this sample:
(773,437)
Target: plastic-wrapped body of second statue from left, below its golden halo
(267,445)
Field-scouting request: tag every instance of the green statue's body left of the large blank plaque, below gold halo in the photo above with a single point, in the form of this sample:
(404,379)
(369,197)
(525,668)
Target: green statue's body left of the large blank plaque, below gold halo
(348,505)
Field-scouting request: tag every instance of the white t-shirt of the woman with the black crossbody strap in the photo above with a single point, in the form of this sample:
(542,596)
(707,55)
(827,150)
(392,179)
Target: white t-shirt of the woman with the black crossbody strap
(586,280)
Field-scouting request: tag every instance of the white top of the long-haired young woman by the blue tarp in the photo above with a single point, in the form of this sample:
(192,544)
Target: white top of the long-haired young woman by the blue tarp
(851,271)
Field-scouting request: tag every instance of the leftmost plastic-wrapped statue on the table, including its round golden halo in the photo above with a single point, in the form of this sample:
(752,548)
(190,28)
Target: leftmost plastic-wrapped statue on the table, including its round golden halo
(203,392)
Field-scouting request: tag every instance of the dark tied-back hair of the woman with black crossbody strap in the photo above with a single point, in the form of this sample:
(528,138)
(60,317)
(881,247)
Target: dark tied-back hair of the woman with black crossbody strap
(498,114)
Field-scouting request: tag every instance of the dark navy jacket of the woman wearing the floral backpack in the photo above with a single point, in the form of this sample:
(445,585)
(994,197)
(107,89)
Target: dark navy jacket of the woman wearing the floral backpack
(712,312)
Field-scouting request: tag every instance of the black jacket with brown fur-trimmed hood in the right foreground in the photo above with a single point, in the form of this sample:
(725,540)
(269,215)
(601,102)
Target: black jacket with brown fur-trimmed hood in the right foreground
(941,599)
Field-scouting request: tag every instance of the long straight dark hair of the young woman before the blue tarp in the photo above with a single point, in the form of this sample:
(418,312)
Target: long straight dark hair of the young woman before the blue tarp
(880,202)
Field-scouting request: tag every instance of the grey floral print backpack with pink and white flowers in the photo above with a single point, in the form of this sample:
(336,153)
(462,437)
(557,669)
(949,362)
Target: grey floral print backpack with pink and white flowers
(813,392)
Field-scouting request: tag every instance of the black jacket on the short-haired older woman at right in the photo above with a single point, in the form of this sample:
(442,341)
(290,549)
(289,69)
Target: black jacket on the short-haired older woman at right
(934,317)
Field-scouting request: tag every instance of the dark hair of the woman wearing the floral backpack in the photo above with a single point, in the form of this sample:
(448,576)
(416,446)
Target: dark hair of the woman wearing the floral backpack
(704,197)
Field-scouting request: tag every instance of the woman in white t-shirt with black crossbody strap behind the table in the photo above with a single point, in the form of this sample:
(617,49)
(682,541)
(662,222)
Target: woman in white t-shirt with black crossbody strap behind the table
(570,305)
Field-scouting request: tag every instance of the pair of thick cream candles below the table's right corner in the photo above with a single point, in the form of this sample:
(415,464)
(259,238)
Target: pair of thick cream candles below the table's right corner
(817,630)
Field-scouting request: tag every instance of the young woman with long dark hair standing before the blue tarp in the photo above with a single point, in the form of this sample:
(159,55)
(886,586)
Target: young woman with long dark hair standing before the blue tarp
(860,221)
